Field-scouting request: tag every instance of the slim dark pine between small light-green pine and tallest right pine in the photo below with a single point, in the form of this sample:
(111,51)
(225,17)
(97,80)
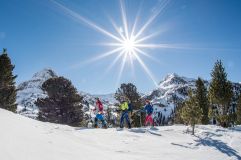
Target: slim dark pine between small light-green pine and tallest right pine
(202,100)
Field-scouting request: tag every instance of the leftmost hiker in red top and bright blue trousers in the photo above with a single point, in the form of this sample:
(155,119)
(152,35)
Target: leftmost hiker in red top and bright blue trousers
(99,113)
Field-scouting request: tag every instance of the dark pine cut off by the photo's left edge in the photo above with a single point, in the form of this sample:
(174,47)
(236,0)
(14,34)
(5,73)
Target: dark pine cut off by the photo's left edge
(8,90)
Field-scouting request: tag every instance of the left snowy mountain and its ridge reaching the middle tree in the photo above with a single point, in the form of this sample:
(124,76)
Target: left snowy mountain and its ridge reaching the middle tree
(29,91)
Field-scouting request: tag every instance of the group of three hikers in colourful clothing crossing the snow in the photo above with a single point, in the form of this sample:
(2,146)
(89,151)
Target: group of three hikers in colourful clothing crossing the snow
(125,108)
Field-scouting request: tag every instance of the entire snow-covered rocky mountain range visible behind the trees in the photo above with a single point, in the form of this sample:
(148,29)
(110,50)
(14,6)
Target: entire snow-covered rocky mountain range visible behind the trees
(172,89)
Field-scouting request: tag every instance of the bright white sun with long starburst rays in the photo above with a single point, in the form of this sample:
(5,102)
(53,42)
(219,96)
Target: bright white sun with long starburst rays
(128,42)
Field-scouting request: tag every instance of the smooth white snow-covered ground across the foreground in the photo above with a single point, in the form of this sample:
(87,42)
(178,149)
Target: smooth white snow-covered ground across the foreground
(22,138)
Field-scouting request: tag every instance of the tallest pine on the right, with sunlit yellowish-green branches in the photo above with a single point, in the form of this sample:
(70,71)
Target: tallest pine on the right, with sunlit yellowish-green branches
(220,92)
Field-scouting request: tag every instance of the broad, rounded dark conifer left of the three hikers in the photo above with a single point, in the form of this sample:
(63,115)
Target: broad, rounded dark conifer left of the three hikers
(63,104)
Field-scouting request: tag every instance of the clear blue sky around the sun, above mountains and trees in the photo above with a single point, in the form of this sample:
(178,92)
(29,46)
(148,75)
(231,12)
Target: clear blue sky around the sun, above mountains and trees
(38,34)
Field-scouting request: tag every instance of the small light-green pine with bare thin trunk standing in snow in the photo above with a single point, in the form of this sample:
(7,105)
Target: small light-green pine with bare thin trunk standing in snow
(191,112)
